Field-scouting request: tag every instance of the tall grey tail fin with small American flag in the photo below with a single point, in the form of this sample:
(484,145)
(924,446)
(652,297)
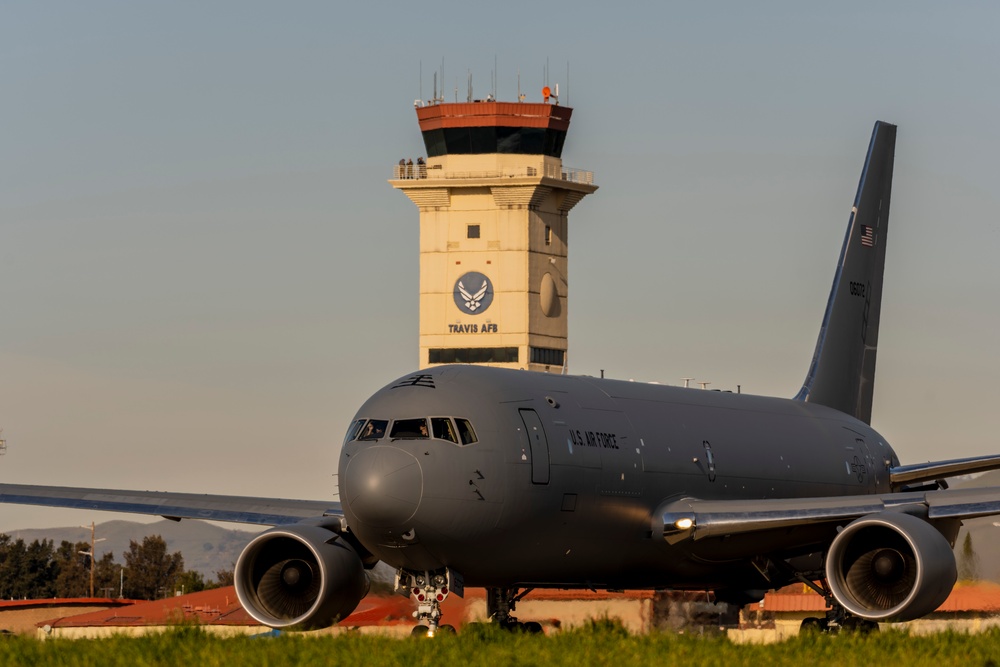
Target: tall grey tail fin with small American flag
(842,372)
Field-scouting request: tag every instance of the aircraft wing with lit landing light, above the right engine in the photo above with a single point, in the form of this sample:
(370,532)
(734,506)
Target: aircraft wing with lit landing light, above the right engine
(690,518)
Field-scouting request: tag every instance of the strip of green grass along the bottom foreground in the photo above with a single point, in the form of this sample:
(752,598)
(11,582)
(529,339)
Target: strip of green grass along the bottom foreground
(599,644)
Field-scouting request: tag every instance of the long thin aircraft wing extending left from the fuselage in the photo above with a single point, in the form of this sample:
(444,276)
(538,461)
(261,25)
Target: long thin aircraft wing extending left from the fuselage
(176,506)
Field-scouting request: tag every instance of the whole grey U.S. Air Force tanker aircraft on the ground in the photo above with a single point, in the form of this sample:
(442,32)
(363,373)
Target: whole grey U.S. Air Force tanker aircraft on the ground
(511,480)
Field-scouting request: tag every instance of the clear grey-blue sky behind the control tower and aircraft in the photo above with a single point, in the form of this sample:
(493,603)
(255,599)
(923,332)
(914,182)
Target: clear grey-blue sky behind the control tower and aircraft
(203,272)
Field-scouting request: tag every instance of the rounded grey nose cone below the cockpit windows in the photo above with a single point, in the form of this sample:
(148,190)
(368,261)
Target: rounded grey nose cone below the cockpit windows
(383,485)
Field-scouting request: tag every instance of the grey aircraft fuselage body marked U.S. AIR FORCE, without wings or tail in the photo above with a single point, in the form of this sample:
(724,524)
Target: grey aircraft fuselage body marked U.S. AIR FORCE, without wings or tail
(566,474)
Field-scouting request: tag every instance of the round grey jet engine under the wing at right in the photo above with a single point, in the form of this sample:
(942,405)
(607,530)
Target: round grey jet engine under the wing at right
(890,567)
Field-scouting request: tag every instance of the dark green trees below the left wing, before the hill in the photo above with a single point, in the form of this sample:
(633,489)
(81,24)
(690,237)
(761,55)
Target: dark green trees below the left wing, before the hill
(40,570)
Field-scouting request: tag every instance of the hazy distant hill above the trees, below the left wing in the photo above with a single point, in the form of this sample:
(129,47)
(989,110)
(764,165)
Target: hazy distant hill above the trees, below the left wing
(206,547)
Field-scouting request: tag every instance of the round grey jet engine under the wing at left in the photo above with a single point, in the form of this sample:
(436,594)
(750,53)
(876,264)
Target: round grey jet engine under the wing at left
(300,575)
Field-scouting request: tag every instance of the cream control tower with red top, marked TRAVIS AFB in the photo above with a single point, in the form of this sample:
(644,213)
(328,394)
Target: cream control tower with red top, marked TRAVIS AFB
(494,200)
